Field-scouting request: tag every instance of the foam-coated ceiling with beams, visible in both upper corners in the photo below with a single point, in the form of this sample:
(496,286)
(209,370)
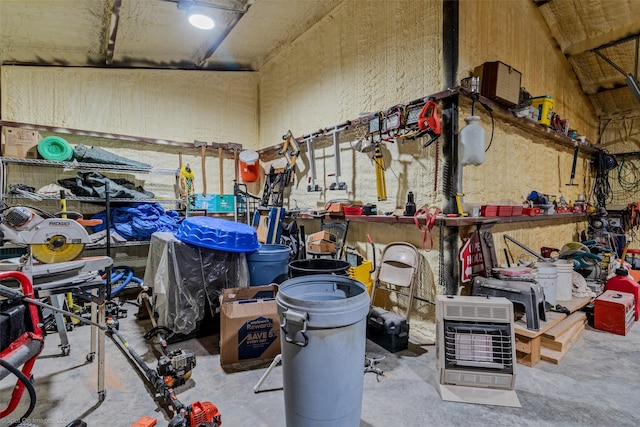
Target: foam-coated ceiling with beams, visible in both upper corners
(155,34)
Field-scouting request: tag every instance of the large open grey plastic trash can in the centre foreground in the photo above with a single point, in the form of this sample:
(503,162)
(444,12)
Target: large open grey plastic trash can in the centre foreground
(323,336)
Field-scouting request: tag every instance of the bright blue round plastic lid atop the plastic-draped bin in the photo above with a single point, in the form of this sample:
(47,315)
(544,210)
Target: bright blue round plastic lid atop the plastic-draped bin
(220,234)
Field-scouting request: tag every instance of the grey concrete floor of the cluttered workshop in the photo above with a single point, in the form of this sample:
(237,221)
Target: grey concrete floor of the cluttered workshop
(596,384)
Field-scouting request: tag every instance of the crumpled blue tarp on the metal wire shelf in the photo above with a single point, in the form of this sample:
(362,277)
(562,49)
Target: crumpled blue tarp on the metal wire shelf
(137,221)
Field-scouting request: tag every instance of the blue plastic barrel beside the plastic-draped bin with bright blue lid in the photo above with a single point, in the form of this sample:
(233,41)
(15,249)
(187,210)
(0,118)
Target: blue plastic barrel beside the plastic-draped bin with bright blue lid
(269,264)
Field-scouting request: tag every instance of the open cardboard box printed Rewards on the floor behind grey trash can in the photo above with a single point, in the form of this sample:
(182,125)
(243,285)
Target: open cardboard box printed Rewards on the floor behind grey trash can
(249,326)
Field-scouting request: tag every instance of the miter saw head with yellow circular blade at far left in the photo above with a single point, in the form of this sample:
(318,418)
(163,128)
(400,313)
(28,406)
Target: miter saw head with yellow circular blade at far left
(51,240)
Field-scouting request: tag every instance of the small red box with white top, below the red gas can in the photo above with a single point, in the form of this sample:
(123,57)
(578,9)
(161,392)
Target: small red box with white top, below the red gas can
(614,312)
